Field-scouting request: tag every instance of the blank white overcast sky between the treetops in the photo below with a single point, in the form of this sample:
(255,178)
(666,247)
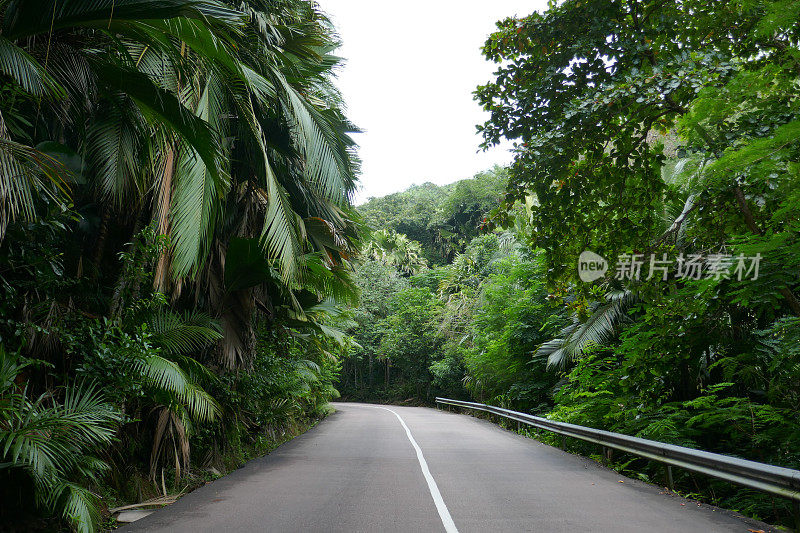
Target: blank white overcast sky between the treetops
(410,71)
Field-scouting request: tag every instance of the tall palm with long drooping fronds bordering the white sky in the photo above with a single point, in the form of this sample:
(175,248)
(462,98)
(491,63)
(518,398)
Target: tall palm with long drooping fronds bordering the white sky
(293,175)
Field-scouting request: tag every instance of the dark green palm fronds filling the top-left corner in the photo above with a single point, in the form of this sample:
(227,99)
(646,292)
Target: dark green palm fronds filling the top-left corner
(88,93)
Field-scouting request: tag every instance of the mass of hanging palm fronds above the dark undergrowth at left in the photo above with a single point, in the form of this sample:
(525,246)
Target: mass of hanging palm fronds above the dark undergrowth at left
(226,125)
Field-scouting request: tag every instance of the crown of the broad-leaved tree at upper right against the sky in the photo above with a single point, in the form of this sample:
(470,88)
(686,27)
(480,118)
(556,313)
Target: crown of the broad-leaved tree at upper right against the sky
(589,150)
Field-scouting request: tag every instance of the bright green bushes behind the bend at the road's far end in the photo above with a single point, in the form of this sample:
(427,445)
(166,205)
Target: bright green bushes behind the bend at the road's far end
(470,324)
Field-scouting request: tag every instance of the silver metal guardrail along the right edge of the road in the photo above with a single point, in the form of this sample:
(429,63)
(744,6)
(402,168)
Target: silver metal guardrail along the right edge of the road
(784,482)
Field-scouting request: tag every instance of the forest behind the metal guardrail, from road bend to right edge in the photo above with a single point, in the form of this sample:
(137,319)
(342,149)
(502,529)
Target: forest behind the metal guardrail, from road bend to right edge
(659,140)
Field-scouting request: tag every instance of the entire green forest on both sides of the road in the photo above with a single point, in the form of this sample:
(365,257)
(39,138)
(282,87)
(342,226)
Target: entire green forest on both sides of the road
(185,282)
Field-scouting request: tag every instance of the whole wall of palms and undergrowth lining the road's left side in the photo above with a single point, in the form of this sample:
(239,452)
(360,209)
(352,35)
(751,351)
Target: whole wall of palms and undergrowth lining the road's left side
(176,231)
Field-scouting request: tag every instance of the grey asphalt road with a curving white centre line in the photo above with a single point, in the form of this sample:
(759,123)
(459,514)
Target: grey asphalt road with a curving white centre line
(411,469)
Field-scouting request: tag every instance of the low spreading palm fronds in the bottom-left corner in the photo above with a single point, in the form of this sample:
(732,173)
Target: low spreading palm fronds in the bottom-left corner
(55,441)
